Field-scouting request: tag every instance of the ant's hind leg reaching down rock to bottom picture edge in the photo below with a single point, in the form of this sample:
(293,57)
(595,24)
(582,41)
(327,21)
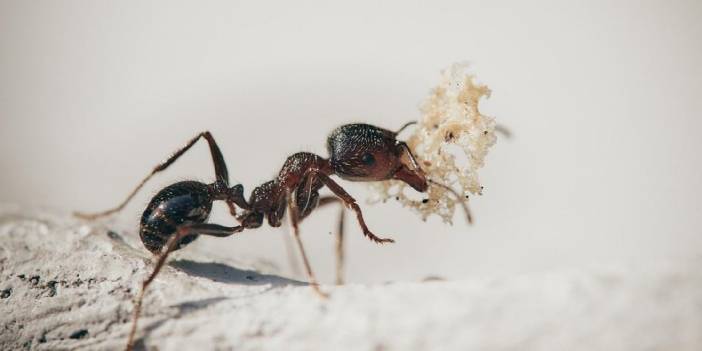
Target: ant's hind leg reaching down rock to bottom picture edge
(183,231)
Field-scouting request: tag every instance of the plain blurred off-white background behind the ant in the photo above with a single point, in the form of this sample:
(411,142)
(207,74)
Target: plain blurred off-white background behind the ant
(603,99)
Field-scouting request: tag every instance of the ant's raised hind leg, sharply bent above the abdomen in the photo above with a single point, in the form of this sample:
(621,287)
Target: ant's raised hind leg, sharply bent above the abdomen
(217,158)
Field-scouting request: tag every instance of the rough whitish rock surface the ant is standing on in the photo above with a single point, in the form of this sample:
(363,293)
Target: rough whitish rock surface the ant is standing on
(65,284)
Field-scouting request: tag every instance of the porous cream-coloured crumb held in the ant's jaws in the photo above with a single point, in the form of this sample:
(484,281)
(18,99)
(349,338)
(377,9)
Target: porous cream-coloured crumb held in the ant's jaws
(451,120)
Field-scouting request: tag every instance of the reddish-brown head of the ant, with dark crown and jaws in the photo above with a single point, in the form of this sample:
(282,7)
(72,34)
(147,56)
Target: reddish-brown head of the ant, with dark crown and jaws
(362,152)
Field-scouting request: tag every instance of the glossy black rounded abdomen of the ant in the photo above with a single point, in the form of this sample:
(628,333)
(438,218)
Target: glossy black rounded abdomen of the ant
(178,204)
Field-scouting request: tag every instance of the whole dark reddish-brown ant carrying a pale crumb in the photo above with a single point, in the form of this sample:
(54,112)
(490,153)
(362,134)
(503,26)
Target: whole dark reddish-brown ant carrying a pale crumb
(178,214)
